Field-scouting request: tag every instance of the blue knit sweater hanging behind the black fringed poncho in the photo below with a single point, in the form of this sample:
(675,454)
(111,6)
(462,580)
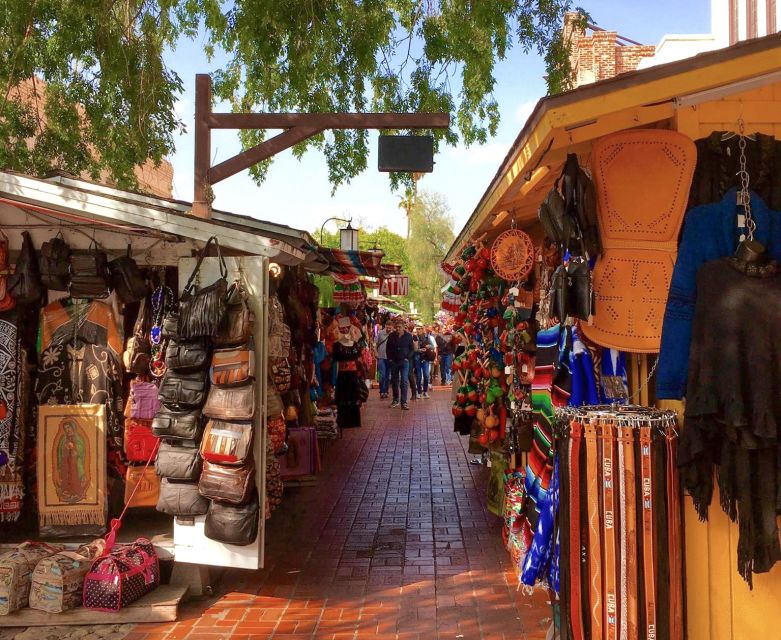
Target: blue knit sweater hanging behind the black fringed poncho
(710,232)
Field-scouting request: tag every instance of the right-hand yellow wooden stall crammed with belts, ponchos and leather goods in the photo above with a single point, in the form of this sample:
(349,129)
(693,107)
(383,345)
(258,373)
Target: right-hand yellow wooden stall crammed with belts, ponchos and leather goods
(650,207)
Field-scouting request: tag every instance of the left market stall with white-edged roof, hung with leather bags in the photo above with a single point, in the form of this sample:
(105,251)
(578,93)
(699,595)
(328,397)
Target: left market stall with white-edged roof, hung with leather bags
(134,392)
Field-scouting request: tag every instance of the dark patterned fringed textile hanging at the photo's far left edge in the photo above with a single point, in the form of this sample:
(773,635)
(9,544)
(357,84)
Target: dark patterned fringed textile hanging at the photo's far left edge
(12,366)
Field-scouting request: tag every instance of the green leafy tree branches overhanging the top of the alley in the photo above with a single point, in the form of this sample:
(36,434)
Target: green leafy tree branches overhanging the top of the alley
(283,55)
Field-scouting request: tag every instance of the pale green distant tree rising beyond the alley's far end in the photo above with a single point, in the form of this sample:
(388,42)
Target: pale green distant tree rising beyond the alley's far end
(431,234)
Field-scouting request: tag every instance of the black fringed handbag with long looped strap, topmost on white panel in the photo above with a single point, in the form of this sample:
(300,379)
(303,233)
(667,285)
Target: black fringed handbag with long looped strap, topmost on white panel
(202,311)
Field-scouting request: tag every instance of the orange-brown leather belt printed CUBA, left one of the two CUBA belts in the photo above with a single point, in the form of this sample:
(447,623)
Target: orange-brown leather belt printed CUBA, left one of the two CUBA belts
(609,533)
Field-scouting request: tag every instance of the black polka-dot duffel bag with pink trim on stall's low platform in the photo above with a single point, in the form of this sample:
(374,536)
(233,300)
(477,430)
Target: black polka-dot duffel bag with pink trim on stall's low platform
(122,576)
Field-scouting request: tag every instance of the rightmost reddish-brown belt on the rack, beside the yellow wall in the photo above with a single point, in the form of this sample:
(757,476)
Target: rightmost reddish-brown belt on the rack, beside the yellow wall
(673,536)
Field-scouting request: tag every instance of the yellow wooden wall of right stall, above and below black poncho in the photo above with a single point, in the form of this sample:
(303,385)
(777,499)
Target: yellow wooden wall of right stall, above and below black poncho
(719,604)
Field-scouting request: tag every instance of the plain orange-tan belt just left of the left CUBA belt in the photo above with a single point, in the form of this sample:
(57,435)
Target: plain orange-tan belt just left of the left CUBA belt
(594,542)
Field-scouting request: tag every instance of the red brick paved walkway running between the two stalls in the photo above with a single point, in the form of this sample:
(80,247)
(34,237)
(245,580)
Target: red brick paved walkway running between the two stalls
(393,542)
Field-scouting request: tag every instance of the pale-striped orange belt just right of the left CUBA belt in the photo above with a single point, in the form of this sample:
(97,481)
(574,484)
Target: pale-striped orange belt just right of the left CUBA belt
(628,506)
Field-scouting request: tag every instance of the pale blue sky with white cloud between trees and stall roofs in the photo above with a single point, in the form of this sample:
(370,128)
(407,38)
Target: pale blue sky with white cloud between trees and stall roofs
(297,193)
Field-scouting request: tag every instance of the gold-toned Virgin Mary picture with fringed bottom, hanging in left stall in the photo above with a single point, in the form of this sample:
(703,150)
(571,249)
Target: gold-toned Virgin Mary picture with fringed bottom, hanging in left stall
(72,465)
